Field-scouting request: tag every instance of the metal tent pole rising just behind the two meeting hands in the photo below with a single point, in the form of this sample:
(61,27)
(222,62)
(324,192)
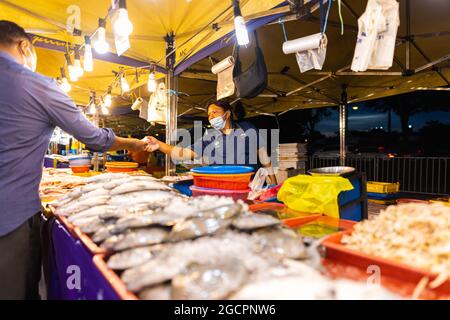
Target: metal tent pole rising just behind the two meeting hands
(172,101)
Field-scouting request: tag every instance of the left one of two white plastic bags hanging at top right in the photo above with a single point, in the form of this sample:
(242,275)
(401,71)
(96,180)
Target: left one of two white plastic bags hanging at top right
(370,24)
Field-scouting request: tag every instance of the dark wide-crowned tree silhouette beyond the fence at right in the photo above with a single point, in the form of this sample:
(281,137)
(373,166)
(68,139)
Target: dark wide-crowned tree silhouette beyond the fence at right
(407,105)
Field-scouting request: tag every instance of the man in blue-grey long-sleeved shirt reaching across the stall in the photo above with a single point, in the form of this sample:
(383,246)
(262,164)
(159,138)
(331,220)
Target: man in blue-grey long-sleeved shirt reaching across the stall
(31,106)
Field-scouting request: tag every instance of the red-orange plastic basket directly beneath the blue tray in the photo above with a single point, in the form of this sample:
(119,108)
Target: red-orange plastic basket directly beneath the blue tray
(223,181)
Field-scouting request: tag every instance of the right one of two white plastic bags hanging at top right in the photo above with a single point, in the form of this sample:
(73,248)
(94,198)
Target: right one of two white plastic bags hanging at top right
(383,52)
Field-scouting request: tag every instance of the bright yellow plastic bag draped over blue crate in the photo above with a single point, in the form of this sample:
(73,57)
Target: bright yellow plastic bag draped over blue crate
(314,194)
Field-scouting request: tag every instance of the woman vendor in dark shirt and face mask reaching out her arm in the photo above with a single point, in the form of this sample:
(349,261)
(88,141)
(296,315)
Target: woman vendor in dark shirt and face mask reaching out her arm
(228,142)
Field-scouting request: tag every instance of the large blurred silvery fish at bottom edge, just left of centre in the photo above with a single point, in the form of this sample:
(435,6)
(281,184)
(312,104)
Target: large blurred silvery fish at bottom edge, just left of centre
(209,282)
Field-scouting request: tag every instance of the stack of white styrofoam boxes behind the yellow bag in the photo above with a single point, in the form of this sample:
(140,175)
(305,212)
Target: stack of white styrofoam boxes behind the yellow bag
(291,160)
